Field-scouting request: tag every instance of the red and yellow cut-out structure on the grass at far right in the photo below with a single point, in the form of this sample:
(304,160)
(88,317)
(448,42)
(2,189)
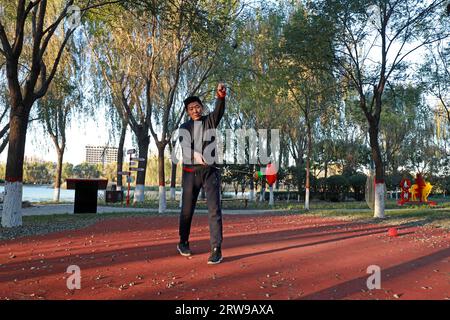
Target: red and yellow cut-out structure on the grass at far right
(415,193)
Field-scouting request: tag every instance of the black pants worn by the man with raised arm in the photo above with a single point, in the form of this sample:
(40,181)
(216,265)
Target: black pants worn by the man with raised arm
(209,179)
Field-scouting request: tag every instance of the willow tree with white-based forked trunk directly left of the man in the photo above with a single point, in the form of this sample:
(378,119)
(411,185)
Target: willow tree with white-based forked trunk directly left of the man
(190,36)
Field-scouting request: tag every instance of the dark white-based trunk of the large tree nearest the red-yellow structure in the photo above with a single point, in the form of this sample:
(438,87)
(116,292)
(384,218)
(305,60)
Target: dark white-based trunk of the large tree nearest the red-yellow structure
(379,170)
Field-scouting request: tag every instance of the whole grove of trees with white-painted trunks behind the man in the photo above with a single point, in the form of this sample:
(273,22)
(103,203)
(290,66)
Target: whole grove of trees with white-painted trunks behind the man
(352,85)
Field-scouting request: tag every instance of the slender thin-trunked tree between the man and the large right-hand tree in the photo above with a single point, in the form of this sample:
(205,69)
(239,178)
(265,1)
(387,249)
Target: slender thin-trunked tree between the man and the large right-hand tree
(305,57)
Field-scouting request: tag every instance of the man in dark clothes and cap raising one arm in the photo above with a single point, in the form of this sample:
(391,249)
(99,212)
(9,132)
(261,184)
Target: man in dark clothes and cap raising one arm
(199,171)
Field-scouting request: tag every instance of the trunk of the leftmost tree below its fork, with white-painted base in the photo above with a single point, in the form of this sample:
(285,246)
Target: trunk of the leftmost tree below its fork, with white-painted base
(12,205)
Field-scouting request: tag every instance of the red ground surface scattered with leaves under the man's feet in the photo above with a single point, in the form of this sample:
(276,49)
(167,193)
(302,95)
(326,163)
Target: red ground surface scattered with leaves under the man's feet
(265,257)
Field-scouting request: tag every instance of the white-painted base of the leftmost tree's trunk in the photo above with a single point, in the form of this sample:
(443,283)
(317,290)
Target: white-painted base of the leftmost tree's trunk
(12,205)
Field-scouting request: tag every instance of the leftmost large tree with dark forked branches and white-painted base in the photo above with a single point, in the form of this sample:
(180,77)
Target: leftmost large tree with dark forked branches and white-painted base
(26,30)
